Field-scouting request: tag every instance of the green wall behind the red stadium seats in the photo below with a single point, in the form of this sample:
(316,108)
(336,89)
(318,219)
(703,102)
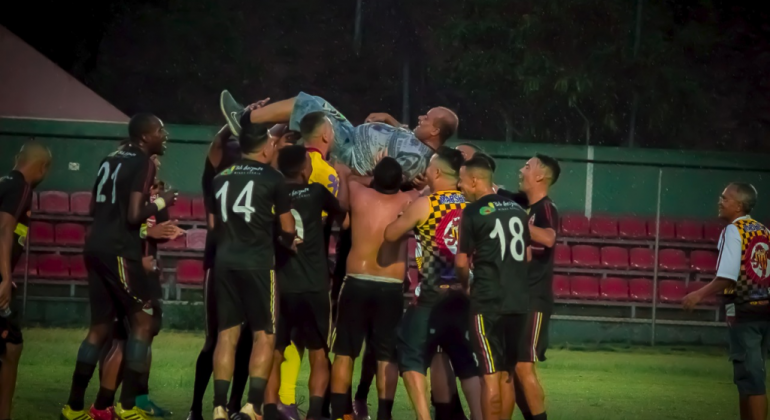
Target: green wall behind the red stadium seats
(622,181)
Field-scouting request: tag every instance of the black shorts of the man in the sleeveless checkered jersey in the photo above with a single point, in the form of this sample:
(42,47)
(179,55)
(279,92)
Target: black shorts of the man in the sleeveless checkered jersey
(444,324)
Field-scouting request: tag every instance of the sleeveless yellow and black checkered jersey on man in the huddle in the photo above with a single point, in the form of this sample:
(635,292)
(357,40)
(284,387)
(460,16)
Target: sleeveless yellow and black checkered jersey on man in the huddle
(437,241)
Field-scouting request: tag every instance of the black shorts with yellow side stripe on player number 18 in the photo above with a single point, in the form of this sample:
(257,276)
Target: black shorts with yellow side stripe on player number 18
(499,341)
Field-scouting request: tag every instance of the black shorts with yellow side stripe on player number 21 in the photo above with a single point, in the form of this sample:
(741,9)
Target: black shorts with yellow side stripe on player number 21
(117,287)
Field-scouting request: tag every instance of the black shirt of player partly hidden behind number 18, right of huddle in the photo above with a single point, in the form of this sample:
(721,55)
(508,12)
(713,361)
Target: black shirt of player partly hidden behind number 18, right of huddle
(542,214)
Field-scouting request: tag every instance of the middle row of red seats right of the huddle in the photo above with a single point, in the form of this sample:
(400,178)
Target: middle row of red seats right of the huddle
(618,258)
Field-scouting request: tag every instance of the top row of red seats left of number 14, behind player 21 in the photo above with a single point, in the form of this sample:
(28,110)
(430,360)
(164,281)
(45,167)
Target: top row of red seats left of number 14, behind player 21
(59,202)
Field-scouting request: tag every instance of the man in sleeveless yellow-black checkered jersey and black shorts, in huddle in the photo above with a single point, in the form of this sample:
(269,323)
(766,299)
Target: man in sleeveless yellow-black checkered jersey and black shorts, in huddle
(440,316)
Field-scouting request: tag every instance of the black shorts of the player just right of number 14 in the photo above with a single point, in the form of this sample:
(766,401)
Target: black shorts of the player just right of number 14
(304,318)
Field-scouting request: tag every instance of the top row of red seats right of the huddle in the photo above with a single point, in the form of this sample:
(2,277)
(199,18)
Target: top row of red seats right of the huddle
(628,227)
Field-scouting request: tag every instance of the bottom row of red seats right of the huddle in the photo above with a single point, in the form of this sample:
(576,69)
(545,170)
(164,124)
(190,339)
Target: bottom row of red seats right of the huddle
(619,289)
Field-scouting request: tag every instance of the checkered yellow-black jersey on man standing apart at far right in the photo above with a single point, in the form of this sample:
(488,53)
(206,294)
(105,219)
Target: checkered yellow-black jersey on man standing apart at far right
(750,293)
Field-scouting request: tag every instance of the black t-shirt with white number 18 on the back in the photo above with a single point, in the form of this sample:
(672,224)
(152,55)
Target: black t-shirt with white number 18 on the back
(495,235)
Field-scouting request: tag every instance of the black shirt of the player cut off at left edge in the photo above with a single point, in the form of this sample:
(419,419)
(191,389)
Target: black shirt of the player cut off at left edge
(16,200)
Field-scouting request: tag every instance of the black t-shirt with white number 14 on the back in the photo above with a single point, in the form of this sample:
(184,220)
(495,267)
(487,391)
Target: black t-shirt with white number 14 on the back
(249,196)
